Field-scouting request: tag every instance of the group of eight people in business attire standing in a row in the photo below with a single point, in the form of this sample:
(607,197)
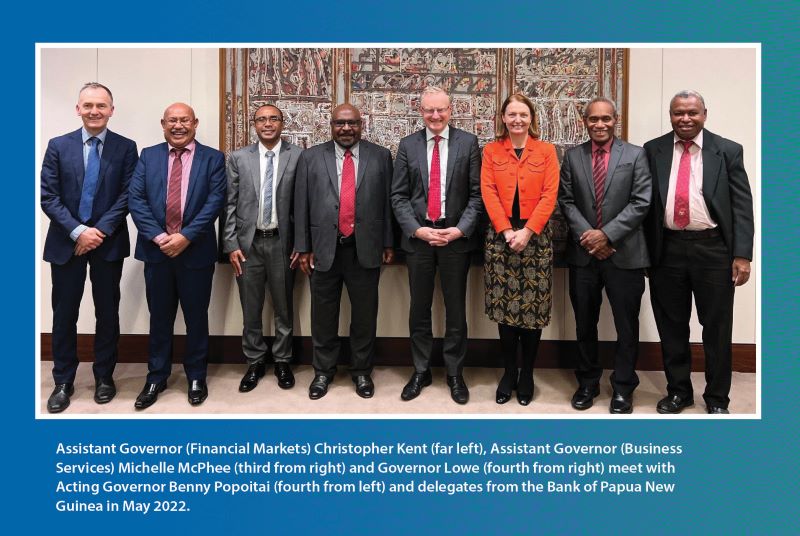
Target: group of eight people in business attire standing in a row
(680,207)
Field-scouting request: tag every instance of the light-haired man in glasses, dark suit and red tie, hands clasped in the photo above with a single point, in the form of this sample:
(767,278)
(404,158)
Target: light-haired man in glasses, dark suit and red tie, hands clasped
(436,197)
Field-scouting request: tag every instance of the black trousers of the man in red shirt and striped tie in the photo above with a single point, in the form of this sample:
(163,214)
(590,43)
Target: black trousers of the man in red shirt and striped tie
(624,289)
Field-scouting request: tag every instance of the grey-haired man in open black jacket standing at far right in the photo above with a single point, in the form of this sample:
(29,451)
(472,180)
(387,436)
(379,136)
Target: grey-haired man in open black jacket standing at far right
(700,234)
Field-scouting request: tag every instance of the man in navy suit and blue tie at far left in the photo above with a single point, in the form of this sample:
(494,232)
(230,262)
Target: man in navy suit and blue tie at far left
(85,178)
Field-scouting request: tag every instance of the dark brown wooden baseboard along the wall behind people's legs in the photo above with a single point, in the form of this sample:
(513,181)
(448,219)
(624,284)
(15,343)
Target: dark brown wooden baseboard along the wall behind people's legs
(396,351)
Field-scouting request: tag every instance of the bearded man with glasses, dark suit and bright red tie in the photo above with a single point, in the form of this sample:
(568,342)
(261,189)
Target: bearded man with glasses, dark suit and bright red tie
(343,232)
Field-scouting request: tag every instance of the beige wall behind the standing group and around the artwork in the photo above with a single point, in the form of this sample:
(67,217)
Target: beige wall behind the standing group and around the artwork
(145,81)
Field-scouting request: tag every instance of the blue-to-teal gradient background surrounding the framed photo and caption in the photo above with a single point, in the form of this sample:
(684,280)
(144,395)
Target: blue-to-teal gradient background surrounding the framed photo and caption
(734,476)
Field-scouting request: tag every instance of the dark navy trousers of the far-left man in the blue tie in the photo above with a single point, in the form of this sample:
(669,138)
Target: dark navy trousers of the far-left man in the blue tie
(68,283)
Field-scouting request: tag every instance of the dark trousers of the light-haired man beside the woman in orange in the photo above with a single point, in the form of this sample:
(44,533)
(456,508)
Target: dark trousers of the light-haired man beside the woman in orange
(453,269)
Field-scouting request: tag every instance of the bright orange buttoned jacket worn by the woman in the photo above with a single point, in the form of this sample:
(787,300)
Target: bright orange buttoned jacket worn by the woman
(536,172)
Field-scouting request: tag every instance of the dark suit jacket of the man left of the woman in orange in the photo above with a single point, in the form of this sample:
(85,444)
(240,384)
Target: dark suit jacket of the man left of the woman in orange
(462,186)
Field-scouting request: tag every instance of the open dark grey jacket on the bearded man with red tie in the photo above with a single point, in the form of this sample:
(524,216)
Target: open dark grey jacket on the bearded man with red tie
(316,208)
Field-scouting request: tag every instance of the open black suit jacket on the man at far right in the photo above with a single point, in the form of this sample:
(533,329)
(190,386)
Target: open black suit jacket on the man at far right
(726,191)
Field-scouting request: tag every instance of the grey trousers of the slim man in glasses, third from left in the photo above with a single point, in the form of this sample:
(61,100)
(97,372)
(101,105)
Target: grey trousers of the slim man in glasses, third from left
(266,268)
